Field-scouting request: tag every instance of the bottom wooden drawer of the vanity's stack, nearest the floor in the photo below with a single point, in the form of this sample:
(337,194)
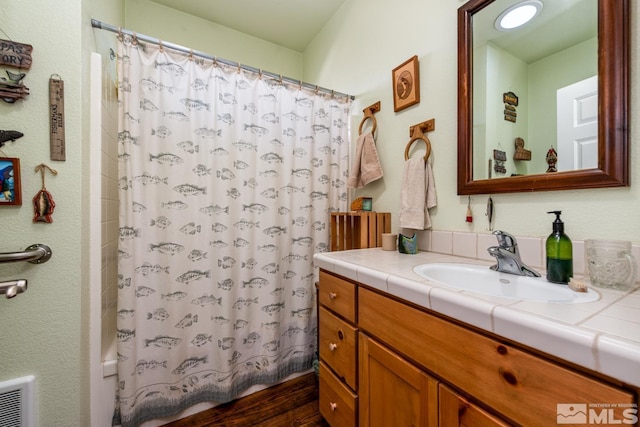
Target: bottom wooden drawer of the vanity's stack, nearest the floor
(338,404)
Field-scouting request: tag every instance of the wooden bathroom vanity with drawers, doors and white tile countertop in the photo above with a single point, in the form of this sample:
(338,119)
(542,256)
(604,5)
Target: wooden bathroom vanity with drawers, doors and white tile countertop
(396,349)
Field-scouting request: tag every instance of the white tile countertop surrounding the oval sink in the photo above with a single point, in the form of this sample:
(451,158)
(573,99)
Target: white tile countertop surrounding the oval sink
(603,336)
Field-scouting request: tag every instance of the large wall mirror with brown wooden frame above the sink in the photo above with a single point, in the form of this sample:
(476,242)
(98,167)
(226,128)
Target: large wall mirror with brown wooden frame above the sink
(488,119)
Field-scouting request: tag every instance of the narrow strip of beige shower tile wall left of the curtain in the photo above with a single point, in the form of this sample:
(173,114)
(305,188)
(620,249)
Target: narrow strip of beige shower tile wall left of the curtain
(109,211)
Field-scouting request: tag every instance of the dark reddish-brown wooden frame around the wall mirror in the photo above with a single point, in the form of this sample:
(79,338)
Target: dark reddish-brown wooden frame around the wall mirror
(613,108)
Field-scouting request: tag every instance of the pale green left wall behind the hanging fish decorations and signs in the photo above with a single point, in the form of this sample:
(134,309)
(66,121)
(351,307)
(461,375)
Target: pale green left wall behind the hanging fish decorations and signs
(44,330)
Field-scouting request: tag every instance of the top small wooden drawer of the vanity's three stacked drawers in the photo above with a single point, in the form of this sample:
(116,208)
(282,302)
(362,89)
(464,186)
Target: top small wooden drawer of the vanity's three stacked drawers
(339,295)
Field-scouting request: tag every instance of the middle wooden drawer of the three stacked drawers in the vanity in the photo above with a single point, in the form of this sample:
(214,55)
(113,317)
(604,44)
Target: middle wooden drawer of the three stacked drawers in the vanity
(338,346)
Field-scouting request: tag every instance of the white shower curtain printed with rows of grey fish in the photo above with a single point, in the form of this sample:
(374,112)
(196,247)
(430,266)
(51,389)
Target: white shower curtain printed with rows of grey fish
(226,182)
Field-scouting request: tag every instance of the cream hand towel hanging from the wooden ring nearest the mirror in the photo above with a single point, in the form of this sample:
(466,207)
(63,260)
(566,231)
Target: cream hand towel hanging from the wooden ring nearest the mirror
(418,194)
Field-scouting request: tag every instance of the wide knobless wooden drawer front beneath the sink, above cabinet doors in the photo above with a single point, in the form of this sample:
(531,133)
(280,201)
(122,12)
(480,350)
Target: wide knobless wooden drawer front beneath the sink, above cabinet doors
(522,386)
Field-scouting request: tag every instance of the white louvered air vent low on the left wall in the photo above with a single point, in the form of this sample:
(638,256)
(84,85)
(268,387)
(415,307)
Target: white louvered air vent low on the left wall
(16,402)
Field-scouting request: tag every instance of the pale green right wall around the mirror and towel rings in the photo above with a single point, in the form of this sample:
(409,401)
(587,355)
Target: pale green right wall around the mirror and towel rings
(356,52)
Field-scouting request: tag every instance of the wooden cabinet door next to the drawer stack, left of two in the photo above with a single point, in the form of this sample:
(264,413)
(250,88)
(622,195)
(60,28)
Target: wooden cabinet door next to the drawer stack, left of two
(392,391)
